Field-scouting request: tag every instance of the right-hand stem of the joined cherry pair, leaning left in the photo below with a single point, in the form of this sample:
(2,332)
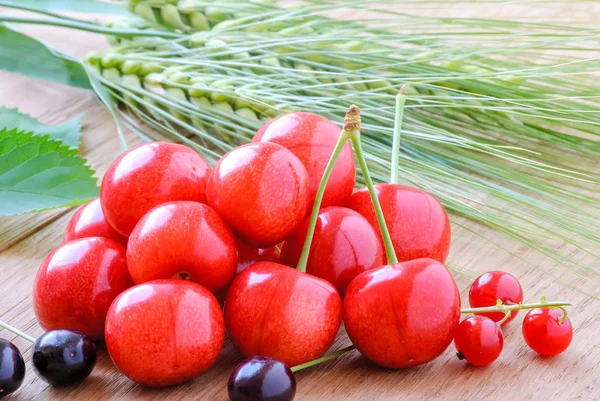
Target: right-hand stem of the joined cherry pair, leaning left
(355,137)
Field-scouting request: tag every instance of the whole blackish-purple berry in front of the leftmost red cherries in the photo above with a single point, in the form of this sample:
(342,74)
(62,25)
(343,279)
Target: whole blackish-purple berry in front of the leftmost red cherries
(62,357)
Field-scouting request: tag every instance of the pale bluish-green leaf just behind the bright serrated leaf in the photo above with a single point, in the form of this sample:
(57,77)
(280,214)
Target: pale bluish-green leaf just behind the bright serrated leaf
(68,133)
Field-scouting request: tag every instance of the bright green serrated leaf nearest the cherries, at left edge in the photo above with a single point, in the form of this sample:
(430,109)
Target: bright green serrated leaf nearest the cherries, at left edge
(37,173)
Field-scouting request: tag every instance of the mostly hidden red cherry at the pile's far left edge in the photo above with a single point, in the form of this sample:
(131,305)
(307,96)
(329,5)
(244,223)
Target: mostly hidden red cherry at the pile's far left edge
(88,221)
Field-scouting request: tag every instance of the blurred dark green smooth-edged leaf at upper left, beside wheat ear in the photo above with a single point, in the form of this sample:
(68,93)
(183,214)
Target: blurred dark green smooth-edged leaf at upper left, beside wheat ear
(24,55)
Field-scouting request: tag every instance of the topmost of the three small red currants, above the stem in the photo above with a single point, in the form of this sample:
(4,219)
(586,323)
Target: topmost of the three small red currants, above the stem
(492,286)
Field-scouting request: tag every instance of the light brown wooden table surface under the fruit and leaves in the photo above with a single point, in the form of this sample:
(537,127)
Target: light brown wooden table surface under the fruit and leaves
(519,374)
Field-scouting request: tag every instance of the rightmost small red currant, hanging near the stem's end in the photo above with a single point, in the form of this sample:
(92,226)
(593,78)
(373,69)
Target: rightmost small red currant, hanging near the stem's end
(544,333)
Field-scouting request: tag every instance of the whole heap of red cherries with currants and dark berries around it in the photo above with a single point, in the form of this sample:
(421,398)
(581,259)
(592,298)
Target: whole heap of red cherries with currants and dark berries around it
(145,266)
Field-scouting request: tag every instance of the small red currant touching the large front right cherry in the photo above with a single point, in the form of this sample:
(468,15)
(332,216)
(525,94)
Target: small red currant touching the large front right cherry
(479,340)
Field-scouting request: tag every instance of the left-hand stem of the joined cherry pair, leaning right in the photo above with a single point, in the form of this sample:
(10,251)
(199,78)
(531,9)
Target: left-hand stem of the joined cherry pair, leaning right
(343,138)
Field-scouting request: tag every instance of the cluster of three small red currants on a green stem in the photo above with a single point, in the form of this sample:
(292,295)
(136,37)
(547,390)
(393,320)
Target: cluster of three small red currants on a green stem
(479,338)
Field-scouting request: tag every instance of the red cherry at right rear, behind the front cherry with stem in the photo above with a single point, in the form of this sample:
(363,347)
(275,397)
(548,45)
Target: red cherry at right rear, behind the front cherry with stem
(417,221)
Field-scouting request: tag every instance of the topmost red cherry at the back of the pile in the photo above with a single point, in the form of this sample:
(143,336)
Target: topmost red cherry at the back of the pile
(312,139)
